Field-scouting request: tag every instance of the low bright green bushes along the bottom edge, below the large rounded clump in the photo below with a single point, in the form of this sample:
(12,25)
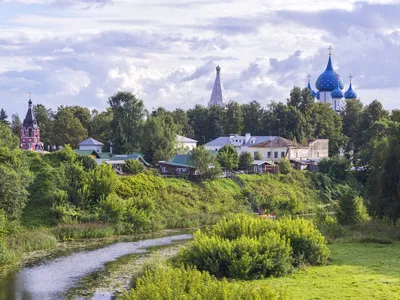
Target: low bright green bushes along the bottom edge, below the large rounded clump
(167,283)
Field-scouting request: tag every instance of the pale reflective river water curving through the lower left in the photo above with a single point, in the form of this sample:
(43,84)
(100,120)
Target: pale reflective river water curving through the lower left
(50,280)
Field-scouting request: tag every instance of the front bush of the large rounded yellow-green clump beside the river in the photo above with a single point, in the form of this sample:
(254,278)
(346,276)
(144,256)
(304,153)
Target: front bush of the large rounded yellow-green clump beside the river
(244,257)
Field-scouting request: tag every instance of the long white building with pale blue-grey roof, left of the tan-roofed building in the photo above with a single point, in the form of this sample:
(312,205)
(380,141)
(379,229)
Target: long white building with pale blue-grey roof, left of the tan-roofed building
(241,143)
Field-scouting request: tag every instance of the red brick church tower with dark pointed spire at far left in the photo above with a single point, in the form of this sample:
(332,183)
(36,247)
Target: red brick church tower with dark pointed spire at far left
(30,133)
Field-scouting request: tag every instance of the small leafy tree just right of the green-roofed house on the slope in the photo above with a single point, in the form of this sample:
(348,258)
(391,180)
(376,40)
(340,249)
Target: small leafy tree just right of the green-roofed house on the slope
(205,163)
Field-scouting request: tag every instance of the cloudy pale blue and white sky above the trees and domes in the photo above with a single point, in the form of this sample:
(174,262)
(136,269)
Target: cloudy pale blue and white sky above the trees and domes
(80,52)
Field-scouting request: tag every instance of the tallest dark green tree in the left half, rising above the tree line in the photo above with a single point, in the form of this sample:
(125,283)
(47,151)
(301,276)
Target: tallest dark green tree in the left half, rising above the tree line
(127,124)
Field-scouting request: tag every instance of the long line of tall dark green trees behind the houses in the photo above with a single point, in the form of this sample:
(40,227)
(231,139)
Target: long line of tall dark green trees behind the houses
(128,127)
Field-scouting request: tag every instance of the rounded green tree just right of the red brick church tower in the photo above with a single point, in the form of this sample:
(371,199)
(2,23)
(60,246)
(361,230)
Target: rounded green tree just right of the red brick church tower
(67,129)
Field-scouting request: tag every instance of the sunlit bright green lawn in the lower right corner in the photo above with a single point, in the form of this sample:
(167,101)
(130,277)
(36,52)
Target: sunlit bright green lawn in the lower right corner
(357,271)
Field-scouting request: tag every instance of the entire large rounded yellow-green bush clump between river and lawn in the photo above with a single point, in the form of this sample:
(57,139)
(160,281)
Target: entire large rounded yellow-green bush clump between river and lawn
(247,247)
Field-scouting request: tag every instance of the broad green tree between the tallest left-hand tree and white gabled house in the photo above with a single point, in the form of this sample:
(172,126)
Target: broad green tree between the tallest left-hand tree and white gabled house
(159,138)
